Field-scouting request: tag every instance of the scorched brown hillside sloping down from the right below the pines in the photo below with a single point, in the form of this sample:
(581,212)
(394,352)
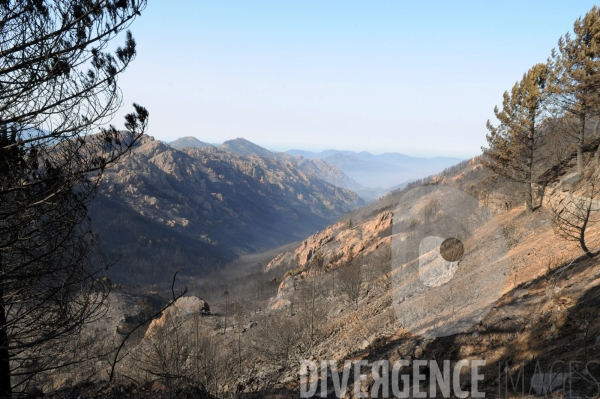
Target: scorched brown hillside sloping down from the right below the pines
(299,307)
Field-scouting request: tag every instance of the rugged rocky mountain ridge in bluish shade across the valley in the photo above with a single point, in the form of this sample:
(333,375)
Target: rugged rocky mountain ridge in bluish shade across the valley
(168,209)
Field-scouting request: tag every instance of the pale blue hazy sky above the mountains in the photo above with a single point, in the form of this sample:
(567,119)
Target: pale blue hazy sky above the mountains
(415,77)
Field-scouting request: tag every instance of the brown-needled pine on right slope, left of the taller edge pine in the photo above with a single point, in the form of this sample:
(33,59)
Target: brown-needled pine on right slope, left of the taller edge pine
(516,144)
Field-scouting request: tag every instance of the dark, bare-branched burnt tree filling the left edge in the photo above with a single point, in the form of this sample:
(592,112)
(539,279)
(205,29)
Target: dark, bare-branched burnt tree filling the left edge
(58,85)
